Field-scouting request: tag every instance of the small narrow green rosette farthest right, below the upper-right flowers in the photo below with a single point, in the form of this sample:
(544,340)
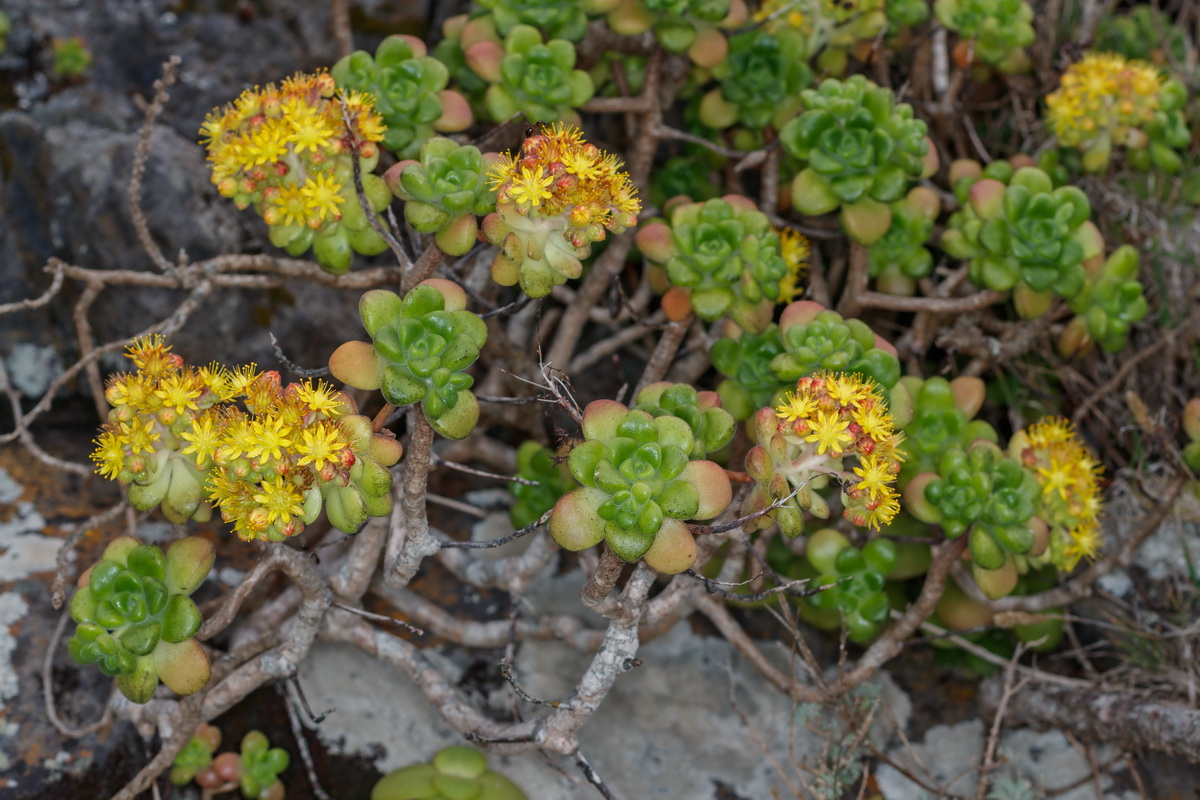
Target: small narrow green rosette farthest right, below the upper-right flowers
(1109,304)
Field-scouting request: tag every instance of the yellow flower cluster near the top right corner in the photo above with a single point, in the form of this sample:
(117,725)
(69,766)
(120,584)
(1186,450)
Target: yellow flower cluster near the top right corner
(1103,94)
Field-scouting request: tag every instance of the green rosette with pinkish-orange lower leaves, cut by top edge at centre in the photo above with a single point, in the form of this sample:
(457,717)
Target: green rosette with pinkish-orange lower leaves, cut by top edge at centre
(681,26)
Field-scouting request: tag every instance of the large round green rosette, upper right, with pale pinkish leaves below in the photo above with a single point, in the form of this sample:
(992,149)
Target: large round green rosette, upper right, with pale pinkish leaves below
(861,153)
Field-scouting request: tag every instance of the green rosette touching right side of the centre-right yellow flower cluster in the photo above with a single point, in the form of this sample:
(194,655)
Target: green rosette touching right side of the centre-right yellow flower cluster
(943,413)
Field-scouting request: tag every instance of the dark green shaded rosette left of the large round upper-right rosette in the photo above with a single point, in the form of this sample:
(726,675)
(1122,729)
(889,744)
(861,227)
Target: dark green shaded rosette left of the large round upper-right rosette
(760,81)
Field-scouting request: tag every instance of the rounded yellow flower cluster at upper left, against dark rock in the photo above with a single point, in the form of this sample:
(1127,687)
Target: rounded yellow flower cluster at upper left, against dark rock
(286,149)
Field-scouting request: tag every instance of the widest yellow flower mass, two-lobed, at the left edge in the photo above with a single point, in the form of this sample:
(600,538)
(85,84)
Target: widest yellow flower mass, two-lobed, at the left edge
(256,447)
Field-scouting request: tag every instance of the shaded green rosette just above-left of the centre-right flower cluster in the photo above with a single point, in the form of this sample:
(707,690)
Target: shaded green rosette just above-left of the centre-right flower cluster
(746,359)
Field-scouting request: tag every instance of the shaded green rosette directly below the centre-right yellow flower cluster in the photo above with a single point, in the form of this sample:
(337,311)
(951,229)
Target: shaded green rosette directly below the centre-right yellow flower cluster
(856,579)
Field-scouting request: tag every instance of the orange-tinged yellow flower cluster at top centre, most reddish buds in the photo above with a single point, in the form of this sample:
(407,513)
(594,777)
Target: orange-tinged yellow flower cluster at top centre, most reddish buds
(559,175)
